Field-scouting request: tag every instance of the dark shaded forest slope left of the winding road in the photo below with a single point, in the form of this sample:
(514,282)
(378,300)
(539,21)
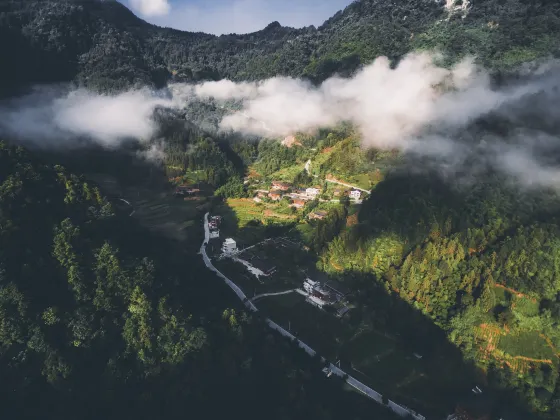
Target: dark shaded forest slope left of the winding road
(100,319)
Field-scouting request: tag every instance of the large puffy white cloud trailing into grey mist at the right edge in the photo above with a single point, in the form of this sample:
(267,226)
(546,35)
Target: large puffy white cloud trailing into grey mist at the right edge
(418,107)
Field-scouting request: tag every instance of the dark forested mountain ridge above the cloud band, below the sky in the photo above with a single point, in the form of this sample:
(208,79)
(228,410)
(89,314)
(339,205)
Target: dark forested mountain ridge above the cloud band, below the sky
(102,45)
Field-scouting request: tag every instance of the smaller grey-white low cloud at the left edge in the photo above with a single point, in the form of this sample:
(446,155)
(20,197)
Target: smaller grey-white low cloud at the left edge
(52,117)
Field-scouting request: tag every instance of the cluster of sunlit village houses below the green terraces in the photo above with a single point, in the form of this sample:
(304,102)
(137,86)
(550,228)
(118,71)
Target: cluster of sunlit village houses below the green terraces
(298,196)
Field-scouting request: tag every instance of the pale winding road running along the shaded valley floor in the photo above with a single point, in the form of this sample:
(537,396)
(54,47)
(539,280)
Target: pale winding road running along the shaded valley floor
(396,408)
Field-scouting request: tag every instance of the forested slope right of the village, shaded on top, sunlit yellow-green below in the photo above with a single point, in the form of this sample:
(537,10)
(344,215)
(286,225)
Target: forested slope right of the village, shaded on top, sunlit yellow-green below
(482,268)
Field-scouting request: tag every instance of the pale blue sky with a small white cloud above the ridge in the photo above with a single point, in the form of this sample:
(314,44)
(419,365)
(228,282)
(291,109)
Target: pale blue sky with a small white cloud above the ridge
(234,16)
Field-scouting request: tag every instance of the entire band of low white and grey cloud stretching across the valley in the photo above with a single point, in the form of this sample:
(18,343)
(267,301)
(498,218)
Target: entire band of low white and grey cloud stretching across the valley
(417,107)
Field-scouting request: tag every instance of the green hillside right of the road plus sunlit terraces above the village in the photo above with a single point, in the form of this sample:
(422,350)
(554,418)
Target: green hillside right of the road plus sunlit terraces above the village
(480,259)
